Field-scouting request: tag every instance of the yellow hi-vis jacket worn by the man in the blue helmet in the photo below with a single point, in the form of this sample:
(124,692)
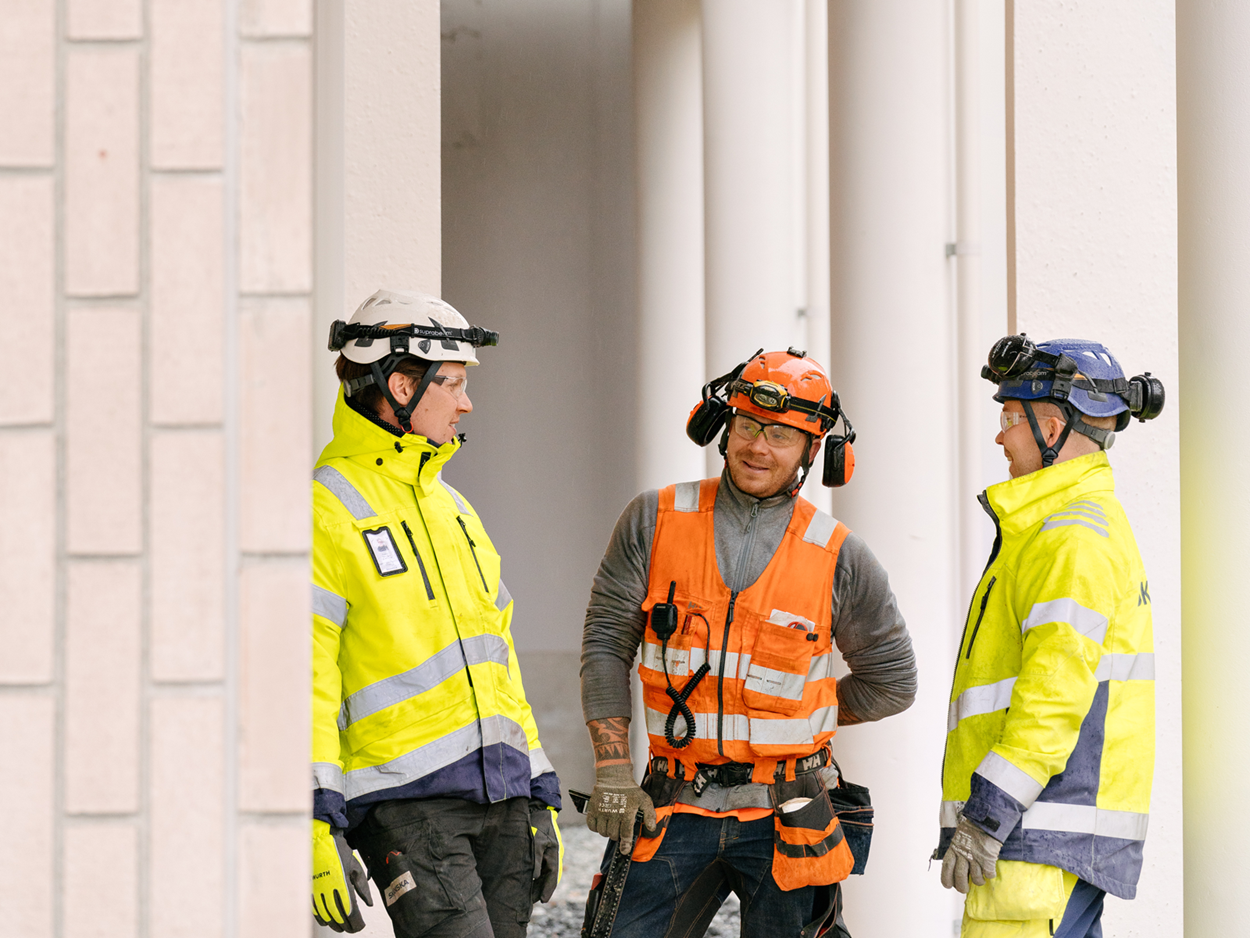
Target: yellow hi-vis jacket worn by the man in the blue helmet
(1051,741)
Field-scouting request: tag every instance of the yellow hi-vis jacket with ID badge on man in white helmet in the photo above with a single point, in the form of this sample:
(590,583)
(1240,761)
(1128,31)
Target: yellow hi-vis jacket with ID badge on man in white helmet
(417,692)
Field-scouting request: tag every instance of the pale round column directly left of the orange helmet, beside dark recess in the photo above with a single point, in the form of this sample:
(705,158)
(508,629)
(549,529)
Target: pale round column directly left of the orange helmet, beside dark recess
(669,153)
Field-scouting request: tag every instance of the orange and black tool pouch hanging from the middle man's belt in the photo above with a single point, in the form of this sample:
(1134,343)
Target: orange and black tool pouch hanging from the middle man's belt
(809,847)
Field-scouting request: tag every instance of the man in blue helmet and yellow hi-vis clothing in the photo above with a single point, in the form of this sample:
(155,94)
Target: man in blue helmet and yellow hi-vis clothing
(1051,739)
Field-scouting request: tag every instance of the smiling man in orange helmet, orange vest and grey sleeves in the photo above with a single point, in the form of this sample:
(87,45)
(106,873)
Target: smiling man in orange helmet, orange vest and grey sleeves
(742,596)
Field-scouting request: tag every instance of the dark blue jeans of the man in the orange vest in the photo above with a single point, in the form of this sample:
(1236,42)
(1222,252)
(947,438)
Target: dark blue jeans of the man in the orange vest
(701,861)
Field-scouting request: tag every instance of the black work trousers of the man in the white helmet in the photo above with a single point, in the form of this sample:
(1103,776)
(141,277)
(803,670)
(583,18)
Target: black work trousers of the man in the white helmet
(451,869)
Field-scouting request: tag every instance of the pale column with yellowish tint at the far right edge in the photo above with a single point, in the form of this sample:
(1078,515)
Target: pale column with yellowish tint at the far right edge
(1213,86)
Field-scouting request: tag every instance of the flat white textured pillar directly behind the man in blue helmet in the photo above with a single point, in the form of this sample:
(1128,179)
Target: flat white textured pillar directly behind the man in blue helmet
(1094,121)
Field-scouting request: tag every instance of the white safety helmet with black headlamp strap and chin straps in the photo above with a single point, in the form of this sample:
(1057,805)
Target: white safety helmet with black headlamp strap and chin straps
(397,325)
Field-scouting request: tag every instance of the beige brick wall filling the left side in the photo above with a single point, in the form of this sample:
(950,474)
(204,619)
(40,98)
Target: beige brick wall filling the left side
(156,227)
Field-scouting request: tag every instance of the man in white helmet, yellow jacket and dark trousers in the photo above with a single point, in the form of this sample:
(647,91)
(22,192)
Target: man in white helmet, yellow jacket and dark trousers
(426,754)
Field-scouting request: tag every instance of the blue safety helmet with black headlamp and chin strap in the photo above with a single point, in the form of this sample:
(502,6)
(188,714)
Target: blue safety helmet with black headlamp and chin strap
(1079,377)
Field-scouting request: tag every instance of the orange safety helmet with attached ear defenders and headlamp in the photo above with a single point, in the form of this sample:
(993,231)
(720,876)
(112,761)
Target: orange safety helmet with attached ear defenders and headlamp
(782,387)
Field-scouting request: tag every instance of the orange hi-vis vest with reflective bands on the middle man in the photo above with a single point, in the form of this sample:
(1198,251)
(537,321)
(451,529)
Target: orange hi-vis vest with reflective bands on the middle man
(772,696)
